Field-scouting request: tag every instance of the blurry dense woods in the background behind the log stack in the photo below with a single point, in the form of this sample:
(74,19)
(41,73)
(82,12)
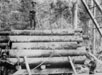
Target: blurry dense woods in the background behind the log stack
(14,14)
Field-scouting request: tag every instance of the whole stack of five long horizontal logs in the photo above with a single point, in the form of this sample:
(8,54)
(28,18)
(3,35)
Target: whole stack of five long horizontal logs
(50,47)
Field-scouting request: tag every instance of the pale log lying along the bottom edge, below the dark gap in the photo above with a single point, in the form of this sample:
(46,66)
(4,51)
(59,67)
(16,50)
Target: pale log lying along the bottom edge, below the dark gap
(45,71)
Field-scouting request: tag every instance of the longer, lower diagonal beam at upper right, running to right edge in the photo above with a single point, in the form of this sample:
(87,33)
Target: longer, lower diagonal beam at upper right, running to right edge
(92,17)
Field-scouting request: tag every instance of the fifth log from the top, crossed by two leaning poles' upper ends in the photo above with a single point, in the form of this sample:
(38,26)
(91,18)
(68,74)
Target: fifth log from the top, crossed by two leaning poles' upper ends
(50,60)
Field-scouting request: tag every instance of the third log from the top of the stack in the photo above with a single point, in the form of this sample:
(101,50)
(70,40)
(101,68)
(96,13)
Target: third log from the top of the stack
(46,45)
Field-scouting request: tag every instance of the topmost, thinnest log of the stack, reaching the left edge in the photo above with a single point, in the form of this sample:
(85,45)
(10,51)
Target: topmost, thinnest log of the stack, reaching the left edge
(34,32)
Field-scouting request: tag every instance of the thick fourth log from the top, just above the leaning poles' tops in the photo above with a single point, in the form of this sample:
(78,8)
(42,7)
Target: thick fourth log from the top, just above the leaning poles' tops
(46,53)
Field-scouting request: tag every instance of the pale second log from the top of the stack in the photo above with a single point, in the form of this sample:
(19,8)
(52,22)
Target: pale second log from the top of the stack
(45,38)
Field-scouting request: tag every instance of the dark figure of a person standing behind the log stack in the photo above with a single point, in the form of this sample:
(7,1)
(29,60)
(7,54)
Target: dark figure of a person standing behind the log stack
(32,15)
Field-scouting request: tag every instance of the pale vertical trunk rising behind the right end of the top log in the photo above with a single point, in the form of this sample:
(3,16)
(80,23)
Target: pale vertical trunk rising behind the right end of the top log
(75,19)
